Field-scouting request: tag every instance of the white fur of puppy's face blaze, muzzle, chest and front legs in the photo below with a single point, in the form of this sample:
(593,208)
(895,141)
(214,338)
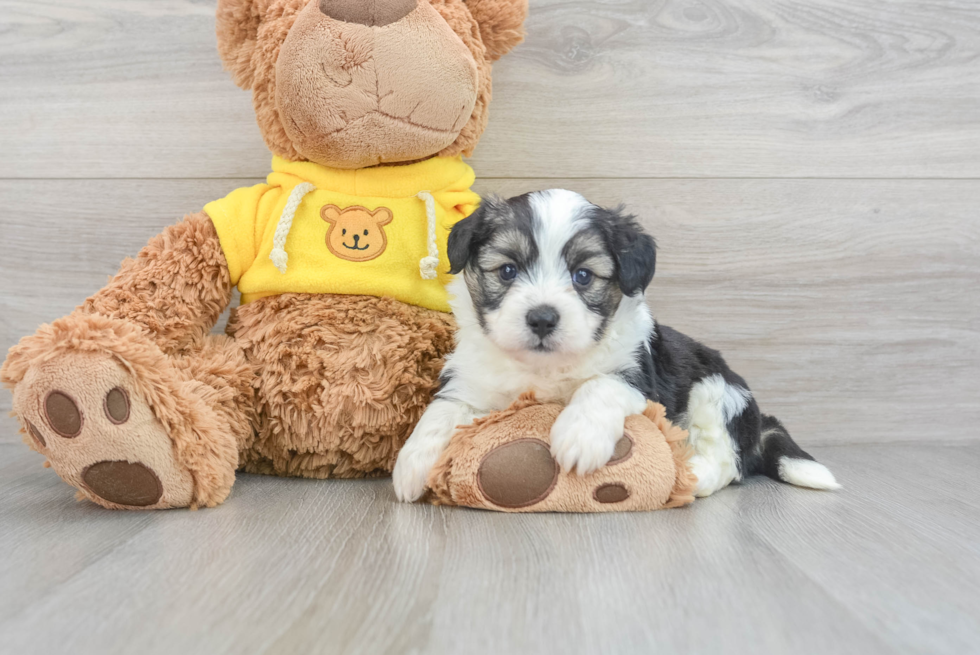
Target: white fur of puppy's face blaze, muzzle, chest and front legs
(491,369)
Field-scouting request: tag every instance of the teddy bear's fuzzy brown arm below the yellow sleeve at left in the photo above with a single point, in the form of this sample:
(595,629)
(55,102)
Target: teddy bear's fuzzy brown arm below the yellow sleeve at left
(175,288)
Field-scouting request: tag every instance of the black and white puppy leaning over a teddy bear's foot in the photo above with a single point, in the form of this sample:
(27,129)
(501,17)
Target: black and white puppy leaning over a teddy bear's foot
(551,299)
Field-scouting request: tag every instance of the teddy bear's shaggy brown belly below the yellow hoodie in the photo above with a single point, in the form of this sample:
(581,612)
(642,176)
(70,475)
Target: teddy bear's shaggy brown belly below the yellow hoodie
(341,380)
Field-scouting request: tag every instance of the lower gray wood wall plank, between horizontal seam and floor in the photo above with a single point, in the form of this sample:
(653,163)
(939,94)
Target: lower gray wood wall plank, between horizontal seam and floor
(851,307)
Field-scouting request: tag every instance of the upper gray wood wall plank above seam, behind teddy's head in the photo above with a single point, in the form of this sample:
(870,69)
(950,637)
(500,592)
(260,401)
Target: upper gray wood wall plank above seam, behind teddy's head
(612,88)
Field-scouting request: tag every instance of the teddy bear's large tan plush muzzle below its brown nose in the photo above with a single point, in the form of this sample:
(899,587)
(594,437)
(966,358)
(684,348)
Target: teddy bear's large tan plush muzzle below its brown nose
(353,96)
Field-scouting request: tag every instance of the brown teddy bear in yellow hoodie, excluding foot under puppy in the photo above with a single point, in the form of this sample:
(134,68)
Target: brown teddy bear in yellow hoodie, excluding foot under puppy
(333,354)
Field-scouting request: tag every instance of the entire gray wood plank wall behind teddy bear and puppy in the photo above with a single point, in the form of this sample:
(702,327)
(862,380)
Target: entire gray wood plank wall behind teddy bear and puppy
(811,170)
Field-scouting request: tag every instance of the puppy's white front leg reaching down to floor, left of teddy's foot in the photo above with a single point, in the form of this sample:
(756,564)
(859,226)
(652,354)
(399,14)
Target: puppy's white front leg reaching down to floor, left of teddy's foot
(428,440)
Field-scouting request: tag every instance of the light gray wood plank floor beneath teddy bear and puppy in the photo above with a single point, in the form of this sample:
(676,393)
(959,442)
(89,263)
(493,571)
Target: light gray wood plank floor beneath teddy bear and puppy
(298,566)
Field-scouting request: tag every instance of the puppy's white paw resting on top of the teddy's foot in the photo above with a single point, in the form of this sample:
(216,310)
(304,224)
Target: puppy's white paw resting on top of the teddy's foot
(584,441)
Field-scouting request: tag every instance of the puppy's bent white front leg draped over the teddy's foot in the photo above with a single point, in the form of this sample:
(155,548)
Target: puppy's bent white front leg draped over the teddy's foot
(586,432)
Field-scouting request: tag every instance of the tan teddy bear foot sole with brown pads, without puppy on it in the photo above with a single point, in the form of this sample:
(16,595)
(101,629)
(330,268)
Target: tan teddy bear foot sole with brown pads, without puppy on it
(85,413)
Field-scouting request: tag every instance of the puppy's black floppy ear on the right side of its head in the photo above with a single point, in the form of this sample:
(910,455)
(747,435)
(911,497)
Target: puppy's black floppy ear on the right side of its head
(634,250)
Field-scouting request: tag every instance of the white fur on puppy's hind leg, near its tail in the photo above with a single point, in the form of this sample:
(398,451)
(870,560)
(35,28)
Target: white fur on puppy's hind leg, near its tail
(711,405)
